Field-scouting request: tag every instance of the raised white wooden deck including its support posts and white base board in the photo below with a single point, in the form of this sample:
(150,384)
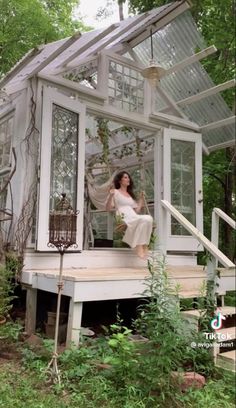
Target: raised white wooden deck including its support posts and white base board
(106,275)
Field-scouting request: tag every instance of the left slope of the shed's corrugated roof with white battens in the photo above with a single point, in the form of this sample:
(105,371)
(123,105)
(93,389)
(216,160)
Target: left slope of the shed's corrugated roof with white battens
(123,30)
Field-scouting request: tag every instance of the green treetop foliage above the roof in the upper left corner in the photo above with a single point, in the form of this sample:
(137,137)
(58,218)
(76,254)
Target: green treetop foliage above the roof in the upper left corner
(26,24)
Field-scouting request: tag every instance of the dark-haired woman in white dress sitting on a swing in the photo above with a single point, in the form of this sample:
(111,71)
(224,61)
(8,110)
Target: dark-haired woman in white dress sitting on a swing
(139,226)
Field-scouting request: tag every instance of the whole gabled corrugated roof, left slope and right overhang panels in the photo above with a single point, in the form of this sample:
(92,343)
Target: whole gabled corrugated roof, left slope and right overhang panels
(176,38)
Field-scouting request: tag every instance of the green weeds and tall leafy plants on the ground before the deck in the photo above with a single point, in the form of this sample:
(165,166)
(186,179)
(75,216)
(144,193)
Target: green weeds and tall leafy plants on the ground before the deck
(115,371)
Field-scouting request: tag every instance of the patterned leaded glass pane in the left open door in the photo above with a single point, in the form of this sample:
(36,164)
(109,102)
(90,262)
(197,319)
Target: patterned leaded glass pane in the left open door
(64,155)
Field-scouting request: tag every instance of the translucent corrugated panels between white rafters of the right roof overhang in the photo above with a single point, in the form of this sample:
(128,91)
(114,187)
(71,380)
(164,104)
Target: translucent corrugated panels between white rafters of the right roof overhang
(174,43)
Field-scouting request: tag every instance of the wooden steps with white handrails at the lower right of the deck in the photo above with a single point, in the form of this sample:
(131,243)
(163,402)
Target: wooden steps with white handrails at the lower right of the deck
(224,339)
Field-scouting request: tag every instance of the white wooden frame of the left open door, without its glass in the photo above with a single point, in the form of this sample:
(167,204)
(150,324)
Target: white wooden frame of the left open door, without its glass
(50,97)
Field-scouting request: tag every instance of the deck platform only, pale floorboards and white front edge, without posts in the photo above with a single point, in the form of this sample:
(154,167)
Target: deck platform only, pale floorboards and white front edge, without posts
(90,284)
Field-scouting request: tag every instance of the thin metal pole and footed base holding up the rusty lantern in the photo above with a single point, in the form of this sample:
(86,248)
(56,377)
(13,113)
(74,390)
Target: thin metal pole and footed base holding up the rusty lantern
(52,368)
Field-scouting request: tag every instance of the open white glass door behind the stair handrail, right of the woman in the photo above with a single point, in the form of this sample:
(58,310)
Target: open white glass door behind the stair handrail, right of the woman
(182,186)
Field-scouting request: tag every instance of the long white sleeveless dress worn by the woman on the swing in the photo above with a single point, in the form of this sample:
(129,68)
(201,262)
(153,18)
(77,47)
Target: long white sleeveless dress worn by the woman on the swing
(139,226)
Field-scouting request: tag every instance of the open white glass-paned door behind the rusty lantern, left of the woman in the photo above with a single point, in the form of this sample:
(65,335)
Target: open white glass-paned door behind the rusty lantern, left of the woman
(62,160)
